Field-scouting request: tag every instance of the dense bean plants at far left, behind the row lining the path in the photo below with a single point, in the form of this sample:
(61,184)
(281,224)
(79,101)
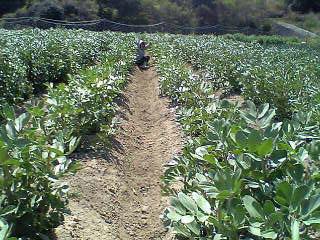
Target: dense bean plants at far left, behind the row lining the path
(30,58)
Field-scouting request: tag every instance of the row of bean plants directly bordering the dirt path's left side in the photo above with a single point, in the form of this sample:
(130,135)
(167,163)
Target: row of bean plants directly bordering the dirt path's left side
(34,146)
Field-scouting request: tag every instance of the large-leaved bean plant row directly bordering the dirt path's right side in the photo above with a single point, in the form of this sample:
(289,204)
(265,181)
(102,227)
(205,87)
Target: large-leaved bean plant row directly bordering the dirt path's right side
(242,174)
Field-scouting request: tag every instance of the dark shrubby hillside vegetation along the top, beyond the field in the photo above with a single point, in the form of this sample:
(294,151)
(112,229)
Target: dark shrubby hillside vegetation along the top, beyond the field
(189,12)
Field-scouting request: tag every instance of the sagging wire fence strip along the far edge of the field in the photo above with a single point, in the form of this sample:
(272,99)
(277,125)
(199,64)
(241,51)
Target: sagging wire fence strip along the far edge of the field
(108,25)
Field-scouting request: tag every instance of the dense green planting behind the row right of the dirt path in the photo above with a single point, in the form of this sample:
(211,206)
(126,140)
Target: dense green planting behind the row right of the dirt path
(285,76)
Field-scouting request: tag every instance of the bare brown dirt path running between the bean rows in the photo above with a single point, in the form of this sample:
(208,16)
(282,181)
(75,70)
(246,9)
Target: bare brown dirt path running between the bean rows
(119,197)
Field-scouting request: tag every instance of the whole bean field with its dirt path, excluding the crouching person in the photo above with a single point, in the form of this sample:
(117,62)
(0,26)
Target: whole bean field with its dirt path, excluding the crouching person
(247,113)
